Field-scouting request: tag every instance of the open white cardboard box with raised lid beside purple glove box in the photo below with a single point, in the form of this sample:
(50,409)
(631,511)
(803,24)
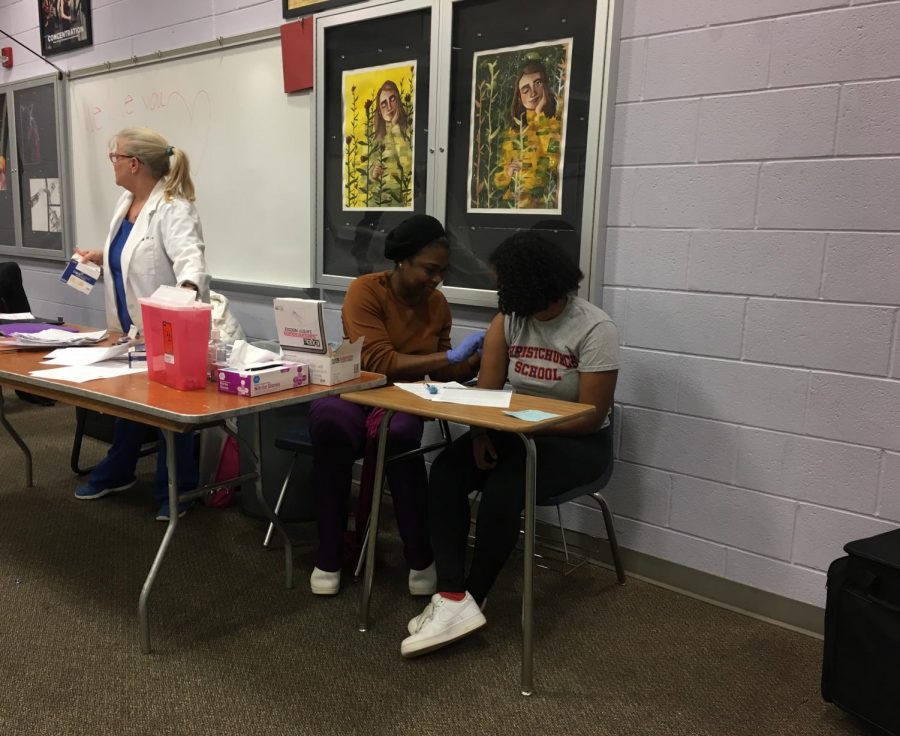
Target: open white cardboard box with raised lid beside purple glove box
(301,333)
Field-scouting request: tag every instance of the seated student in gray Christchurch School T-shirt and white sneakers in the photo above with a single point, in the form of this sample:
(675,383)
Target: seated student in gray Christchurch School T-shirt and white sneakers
(546,341)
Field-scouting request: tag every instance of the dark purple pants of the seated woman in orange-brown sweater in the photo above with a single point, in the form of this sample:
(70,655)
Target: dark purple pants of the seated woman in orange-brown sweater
(338,431)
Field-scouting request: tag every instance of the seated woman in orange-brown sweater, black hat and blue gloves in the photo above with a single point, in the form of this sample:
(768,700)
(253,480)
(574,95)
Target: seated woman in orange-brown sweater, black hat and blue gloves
(405,321)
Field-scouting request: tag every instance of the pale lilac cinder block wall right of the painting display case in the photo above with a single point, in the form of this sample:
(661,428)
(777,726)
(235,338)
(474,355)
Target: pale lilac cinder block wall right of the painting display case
(753,267)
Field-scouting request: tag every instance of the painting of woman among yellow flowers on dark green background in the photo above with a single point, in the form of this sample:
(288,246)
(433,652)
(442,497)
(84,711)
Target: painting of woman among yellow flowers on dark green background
(518,124)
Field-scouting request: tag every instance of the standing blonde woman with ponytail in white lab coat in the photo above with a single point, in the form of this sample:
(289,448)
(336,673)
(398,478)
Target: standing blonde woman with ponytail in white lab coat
(155,238)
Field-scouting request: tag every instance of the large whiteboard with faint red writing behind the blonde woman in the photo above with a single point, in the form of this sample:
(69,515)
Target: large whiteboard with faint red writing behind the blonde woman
(249,149)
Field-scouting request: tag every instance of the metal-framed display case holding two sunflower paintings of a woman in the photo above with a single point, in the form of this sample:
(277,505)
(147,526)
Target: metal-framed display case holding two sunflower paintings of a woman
(491,115)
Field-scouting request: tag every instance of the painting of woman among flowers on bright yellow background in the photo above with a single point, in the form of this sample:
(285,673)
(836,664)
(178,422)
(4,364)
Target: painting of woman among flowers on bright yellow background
(379,137)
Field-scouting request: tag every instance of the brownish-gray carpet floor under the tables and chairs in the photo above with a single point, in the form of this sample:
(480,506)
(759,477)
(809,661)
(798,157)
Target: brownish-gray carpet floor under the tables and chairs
(235,652)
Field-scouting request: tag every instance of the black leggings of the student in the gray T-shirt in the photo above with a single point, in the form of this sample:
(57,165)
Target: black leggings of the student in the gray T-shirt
(562,463)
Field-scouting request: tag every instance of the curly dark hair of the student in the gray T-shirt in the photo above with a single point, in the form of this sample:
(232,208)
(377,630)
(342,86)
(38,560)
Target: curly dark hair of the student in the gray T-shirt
(532,273)
